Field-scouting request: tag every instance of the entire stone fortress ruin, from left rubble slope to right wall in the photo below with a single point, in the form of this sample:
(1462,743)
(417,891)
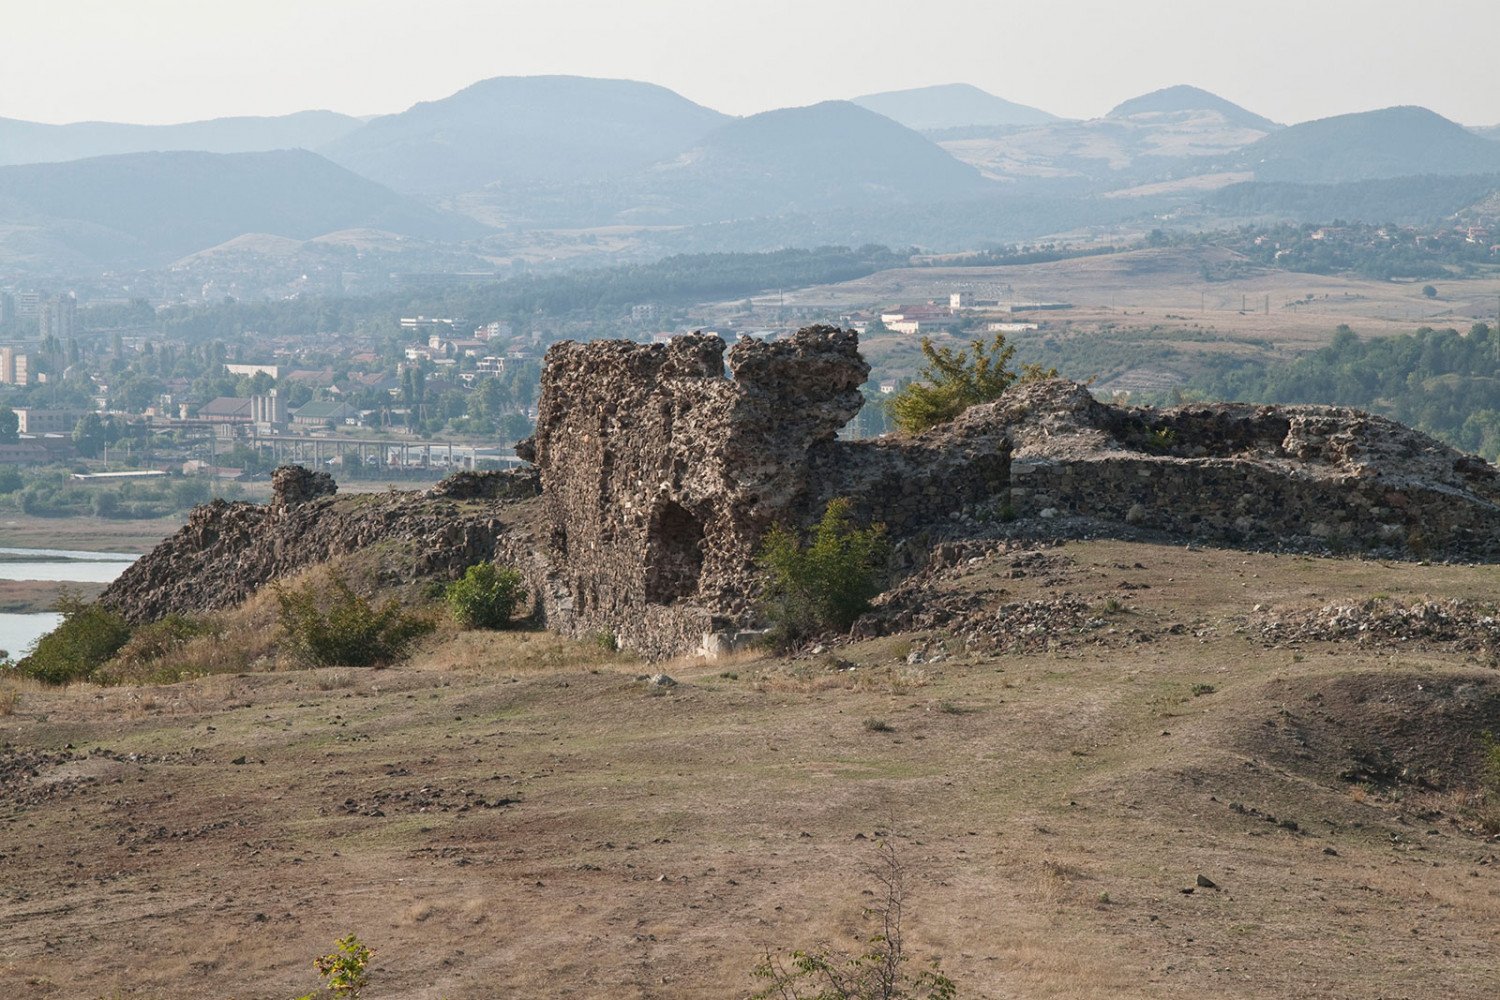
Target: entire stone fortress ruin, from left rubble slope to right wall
(659,469)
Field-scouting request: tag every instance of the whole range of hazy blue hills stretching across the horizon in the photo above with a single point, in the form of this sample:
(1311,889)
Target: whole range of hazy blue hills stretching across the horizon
(523,154)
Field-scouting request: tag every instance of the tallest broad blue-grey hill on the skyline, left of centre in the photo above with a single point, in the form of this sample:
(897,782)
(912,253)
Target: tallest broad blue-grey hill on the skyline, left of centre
(524,130)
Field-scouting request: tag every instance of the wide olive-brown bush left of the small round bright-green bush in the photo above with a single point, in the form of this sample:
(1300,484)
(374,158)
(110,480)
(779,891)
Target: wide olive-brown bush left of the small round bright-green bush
(338,627)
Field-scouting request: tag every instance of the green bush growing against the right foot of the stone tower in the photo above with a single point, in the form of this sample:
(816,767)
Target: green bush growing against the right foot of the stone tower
(826,584)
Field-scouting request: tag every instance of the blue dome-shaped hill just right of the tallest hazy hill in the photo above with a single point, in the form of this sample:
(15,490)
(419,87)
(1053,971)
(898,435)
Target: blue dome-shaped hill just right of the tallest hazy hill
(824,157)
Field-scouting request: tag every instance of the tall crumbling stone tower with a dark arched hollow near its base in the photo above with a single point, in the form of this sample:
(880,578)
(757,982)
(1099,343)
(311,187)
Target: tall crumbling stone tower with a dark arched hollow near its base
(661,473)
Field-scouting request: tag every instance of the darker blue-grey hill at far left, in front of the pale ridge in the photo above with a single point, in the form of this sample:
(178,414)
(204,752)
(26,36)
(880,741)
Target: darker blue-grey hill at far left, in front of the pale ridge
(161,206)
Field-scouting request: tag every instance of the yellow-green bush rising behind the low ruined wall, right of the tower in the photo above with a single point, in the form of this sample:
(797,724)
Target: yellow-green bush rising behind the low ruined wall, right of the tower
(953,382)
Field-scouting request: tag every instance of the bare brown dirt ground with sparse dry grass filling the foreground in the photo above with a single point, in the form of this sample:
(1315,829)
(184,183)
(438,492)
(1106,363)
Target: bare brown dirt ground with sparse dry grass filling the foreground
(518,816)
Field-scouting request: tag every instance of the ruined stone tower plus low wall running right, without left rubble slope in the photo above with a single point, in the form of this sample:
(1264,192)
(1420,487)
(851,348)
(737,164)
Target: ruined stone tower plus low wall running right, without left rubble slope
(661,476)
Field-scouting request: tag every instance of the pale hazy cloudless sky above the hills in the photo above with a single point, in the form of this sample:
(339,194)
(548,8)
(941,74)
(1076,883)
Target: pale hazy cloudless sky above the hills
(175,61)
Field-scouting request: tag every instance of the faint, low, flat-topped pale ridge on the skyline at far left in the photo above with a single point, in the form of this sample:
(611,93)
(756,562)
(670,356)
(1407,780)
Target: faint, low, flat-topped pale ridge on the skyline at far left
(37,143)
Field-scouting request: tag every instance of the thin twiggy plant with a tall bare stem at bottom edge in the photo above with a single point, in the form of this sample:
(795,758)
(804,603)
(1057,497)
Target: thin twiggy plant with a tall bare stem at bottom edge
(877,972)
